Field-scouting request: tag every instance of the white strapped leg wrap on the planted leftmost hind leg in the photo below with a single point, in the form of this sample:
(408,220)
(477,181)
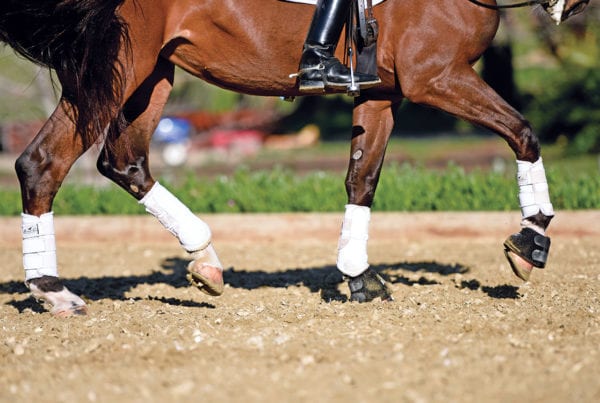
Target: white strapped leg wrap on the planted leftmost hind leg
(39,245)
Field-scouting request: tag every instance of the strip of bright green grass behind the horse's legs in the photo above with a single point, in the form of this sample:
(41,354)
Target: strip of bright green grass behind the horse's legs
(401,188)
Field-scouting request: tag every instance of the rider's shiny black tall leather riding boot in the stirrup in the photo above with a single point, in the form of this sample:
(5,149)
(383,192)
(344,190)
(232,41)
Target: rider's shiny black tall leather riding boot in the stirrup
(318,66)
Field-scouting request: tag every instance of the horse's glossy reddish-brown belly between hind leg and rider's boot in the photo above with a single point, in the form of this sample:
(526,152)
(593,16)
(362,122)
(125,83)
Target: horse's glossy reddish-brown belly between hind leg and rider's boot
(245,47)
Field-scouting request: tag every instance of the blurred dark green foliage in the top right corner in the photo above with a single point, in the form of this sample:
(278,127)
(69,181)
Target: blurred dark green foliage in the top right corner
(567,109)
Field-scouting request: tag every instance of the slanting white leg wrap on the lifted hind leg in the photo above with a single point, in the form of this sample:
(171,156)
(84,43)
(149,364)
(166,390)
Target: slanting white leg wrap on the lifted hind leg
(193,233)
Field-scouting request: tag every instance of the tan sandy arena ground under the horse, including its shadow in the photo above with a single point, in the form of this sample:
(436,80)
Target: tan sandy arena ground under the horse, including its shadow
(461,328)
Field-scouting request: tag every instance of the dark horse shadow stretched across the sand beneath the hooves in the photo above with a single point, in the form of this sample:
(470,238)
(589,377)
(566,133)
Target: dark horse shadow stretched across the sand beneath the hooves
(324,280)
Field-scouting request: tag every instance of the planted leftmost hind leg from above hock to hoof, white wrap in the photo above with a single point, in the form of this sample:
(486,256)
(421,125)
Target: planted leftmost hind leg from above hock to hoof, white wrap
(41,170)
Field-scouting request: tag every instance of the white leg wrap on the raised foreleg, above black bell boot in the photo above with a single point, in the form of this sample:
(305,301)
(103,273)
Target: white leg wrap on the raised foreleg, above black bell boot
(533,189)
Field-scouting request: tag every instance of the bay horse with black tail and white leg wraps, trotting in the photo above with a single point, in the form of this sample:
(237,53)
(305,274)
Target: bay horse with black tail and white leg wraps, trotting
(115,61)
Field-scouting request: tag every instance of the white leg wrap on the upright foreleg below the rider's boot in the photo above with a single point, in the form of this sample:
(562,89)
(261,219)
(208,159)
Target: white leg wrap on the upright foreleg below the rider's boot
(352,259)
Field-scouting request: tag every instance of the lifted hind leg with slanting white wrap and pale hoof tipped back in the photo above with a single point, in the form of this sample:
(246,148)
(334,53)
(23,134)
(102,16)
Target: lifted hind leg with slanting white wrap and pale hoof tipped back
(125,161)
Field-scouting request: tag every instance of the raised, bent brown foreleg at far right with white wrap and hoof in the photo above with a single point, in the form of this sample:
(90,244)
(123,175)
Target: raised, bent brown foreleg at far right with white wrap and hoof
(460,91)
